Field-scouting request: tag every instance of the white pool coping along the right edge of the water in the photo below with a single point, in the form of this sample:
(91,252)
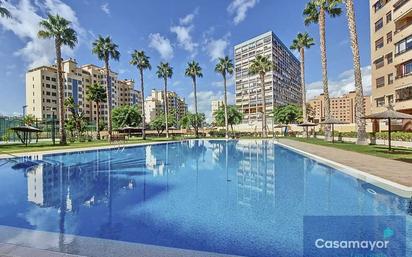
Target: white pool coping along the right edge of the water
(391,186)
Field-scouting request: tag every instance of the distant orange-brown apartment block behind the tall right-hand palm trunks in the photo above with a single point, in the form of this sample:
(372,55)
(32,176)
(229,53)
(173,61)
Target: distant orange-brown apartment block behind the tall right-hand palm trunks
(342,108)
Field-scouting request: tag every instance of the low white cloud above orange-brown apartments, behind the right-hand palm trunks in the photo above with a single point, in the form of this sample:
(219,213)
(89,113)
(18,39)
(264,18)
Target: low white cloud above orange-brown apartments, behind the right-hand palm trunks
(343,85)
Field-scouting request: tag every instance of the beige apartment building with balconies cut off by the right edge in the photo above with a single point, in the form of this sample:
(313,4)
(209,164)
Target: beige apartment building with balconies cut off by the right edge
(391,42)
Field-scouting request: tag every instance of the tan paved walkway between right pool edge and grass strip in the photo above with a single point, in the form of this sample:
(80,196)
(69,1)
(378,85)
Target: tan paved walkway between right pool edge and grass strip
(395,171)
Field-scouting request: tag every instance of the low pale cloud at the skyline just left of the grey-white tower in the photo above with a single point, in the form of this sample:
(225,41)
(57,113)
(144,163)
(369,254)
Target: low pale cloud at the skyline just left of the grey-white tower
(204,101)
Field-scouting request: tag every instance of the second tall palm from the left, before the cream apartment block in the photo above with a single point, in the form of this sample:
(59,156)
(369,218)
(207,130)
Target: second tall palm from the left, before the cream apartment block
(106,49)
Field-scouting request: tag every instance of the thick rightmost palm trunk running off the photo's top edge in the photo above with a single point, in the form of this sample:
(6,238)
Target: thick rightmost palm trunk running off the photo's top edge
(360,110)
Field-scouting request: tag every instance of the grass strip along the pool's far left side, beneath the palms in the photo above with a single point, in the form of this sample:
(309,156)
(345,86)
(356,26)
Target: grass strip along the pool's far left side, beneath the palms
(48,146)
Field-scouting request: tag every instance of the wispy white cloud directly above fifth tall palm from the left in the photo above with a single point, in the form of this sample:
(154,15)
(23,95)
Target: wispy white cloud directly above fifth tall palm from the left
(183,33)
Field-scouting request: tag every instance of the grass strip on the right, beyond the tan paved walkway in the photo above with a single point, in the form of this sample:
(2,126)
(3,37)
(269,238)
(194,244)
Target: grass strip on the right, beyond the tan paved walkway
(398,153)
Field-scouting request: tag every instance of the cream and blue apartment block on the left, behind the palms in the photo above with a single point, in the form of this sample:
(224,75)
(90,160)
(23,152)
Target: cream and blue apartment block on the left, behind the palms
(42,92)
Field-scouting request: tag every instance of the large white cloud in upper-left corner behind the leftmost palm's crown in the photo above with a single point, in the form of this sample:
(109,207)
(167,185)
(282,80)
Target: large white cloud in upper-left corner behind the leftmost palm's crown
(24,23)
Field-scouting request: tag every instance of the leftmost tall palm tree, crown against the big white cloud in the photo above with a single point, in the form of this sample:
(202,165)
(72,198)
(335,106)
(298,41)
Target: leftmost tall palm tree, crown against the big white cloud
(59,28)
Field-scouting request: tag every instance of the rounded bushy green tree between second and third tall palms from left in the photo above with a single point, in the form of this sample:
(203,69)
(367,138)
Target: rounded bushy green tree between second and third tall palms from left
(126,116)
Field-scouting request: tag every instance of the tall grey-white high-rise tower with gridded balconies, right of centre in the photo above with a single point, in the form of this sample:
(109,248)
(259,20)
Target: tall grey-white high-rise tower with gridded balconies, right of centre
(282,85)
